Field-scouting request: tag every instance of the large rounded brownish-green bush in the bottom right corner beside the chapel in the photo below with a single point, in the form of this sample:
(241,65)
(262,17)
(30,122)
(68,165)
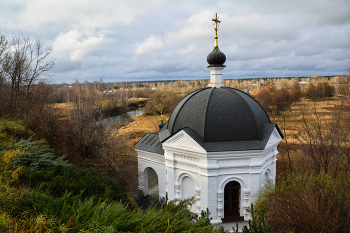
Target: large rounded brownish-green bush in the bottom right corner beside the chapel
(308,203)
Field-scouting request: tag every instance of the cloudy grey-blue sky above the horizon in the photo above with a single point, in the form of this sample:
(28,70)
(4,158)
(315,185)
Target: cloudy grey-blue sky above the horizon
(139,40)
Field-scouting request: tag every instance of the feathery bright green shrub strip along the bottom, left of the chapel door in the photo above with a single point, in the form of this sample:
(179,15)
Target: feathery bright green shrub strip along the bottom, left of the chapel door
(79,215)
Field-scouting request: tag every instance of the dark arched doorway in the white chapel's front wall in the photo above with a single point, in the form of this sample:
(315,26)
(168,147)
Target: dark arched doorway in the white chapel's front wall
(232,202)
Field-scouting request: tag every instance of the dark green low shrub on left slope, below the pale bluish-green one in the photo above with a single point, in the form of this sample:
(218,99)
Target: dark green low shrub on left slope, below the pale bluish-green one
(74,180)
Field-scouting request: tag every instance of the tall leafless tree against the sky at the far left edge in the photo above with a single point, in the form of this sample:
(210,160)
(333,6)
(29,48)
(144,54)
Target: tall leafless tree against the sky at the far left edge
(25,63)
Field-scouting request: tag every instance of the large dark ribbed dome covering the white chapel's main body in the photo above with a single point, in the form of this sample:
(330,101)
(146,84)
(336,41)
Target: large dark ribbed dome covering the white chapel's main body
(218,115)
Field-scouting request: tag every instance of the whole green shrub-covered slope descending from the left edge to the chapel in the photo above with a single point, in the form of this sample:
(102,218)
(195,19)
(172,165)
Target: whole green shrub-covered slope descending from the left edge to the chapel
(41,192)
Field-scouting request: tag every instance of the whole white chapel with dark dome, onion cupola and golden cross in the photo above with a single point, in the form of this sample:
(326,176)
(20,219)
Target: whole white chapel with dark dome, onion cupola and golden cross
(218,145)
